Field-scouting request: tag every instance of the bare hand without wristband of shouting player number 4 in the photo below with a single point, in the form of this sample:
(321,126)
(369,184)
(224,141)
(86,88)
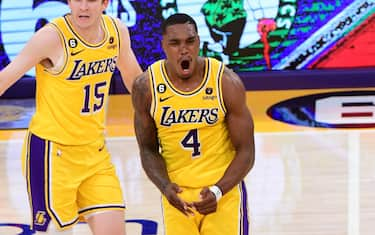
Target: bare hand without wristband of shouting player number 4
(171,192)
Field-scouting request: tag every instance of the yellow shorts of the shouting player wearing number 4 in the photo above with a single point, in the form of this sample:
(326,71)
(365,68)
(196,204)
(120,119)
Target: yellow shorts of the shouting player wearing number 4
(230,218)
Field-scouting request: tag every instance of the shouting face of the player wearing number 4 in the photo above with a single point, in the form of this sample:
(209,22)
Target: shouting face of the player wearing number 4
(181,46)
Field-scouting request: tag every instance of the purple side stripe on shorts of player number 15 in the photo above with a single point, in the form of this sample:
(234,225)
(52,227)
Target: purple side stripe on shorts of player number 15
(37,181)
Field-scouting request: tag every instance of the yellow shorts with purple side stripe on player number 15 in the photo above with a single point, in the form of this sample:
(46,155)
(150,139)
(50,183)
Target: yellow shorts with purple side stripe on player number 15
(65,183)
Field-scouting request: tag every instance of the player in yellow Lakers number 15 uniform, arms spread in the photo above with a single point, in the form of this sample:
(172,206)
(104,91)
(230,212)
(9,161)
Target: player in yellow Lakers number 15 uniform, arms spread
(67,166)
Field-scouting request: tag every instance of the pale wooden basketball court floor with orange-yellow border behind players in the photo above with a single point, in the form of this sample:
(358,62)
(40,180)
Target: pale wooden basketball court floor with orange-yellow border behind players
(306,181)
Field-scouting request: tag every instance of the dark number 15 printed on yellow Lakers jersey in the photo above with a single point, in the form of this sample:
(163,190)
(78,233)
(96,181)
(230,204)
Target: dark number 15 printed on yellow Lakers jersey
(98,97)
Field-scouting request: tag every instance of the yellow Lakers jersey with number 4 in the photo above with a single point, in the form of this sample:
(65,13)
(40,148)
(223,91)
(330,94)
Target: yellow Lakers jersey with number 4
(191,126)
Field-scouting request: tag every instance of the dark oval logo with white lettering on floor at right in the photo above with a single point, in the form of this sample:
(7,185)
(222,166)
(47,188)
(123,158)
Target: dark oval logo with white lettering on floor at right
(346,109)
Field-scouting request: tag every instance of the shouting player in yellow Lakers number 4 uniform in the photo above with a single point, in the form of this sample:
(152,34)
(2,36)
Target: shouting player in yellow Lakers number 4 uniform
(195,135)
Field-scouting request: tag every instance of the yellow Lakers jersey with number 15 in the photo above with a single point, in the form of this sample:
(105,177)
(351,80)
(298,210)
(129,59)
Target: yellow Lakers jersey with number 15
(71,103)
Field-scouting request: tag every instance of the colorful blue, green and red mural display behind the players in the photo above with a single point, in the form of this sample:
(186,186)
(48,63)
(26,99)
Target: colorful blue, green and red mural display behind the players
(248,35)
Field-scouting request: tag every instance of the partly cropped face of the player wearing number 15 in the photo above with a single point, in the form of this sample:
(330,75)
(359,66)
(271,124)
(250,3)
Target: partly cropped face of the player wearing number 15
(86,13)
